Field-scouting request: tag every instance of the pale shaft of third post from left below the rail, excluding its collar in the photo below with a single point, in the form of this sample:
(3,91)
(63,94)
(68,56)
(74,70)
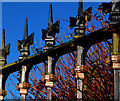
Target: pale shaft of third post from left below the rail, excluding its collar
(49,95)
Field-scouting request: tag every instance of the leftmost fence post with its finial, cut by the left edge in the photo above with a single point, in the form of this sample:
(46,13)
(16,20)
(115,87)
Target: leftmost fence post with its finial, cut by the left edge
(4,51)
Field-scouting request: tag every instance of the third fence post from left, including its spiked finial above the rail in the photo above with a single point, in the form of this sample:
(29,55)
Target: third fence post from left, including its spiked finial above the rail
(49,36)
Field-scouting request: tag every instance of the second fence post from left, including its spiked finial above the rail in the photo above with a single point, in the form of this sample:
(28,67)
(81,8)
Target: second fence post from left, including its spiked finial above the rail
(23,47)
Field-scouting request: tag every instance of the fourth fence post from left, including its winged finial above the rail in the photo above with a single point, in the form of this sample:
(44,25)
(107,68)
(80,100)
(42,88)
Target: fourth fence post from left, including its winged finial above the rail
(79,24)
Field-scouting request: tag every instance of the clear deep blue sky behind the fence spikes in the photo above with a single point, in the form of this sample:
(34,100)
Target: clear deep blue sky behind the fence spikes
(13,18)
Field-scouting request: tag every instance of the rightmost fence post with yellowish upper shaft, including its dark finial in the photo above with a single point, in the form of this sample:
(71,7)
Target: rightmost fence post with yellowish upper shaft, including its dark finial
(114,15)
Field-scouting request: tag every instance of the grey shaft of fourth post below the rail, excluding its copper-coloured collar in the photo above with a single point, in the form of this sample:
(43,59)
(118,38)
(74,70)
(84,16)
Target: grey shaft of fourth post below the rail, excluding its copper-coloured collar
(79,81)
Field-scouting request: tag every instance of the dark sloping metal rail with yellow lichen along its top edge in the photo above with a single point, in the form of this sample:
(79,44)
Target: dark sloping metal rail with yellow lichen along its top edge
(85,41)
